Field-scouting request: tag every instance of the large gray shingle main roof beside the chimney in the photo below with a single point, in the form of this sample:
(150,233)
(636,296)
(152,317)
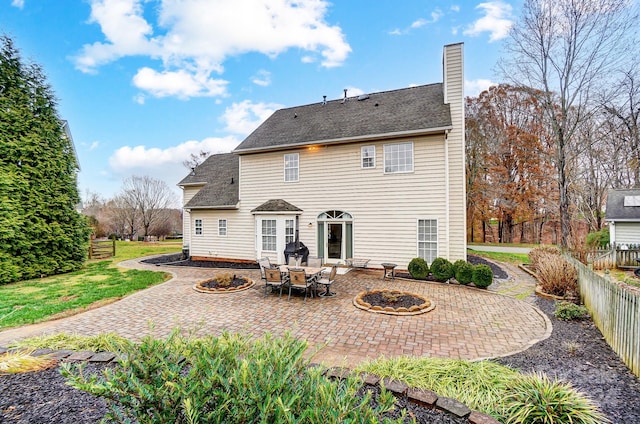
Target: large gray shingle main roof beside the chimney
(411,109)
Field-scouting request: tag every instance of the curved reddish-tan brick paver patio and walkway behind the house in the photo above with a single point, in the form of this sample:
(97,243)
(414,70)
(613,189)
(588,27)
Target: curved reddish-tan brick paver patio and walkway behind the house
(467,323)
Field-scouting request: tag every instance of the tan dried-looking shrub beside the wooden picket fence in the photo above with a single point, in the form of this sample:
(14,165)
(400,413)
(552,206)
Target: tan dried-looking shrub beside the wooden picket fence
(557,276)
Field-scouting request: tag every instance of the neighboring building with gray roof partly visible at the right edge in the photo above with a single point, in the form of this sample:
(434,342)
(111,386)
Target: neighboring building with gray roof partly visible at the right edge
(623,215)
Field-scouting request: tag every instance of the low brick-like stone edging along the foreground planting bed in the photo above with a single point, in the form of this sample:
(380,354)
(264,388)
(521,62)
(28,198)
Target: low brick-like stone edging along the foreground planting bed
(418,396)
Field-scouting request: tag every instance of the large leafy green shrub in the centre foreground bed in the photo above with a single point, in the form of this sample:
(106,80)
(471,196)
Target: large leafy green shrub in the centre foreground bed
(181,380)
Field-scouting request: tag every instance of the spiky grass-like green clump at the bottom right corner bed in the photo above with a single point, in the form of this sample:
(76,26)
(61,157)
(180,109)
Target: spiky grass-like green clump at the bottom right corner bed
(537,399)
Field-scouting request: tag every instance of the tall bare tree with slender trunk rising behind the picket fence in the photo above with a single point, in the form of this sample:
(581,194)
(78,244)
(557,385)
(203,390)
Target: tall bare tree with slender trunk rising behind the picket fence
(564,48)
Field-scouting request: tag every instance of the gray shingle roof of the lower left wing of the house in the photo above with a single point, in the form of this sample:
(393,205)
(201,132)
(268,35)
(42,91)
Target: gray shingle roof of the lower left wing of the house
(219,174)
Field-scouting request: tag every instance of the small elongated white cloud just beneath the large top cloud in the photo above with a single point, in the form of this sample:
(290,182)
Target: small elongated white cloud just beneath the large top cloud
(181,83)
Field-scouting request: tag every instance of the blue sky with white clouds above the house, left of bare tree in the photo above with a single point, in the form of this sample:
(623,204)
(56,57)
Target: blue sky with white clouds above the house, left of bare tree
(144,83)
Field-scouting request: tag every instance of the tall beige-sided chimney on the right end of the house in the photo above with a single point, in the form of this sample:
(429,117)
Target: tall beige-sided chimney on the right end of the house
(454,86)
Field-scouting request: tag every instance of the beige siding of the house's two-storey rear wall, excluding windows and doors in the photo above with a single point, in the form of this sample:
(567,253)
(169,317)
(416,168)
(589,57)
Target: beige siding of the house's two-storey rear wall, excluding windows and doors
(384,207)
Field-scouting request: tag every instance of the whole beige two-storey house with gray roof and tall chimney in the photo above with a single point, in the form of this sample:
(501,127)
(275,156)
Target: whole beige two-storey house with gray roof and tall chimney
(377,176)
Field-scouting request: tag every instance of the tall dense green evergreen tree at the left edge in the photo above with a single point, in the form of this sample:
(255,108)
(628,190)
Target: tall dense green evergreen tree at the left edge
(41,233)
